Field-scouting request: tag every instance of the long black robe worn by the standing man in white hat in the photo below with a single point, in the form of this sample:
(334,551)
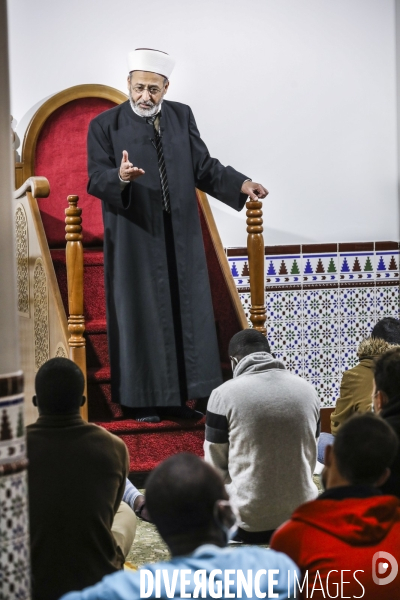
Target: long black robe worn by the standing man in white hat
(141,332)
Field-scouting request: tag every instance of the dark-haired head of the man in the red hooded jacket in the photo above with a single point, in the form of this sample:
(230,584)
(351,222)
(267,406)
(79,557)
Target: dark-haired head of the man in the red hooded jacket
(365,445)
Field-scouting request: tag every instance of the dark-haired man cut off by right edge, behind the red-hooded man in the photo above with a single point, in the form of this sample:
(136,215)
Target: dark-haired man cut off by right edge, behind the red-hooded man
(386,397)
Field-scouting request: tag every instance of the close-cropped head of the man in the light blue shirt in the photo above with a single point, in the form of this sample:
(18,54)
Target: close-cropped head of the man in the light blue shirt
(181,494)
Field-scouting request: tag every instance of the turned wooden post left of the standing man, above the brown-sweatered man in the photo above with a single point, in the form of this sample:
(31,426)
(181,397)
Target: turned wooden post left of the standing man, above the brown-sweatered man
(76,319)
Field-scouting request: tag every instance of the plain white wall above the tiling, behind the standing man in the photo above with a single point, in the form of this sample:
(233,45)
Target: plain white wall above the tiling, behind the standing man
(297,94)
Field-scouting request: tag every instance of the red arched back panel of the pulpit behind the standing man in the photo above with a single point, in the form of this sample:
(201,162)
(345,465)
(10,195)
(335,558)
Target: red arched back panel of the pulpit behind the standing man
(61,156)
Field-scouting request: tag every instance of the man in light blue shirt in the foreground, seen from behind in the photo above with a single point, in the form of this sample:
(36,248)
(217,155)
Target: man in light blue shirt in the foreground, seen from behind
(188,503)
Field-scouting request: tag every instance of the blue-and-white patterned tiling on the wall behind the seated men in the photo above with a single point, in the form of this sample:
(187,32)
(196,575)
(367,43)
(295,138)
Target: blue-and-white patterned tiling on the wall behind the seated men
(321,301)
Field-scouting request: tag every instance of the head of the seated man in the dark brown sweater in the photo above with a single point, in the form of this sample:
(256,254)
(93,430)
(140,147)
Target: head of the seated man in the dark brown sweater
(59,386)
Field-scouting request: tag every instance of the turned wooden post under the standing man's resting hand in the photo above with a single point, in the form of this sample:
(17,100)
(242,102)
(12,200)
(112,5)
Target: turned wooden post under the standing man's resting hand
(255,251)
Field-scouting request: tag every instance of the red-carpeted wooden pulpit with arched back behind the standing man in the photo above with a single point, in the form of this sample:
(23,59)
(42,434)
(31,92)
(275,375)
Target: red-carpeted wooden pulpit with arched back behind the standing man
(55,147)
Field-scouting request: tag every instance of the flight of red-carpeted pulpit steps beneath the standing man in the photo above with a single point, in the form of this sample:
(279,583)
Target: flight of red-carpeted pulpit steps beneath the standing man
(148,443)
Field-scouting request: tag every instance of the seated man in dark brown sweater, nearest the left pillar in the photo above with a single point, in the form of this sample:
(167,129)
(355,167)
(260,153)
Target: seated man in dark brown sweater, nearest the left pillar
(80,530)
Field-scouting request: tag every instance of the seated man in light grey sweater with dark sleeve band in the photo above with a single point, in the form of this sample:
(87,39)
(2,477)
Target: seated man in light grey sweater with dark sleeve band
(261,430)
